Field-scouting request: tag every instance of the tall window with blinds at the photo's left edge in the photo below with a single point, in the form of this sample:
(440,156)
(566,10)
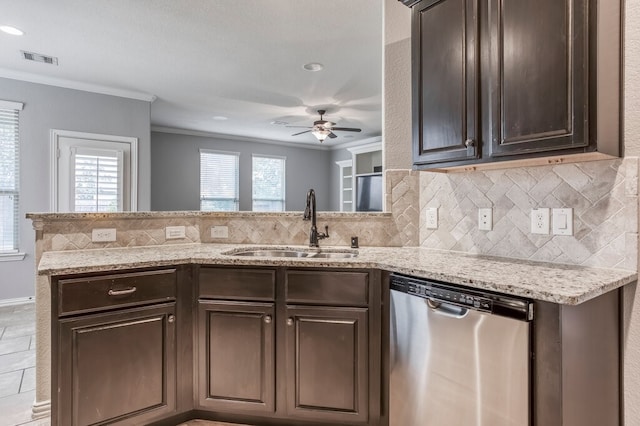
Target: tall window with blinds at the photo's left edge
(9,176)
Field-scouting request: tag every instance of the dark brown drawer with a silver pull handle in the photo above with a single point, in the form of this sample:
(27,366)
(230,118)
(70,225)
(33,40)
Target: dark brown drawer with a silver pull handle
(105,291)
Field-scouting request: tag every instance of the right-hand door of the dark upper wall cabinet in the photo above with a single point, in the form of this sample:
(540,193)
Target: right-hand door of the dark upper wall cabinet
(535,96)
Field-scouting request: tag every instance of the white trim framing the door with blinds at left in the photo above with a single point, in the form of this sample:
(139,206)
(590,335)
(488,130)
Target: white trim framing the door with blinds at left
(57,134)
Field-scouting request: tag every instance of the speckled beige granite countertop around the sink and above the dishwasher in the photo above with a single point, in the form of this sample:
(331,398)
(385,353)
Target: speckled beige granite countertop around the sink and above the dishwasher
(558,283)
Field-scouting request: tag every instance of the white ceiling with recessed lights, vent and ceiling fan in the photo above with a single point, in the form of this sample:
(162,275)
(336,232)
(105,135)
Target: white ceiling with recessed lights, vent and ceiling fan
(241,59)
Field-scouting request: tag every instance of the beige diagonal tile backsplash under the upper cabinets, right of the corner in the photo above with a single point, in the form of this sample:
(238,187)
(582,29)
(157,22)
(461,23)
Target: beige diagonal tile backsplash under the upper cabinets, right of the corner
(603,194)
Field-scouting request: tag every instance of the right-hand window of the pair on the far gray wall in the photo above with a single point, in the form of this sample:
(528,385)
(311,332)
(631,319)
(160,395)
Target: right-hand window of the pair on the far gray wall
(268,183)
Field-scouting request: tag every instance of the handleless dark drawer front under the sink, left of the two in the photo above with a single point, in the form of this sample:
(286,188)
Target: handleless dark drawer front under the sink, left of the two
(237,284)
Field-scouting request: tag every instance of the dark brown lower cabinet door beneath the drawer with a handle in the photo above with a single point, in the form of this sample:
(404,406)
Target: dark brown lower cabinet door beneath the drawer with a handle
(117,367)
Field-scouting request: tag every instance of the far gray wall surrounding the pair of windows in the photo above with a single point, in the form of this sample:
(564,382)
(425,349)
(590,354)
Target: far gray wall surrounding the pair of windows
(175,171)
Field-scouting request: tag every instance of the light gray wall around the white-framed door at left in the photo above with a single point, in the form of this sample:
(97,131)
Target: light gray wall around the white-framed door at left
(46,108)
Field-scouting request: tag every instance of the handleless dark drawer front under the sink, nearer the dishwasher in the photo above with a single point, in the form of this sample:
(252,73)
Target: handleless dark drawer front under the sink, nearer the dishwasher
(328,287)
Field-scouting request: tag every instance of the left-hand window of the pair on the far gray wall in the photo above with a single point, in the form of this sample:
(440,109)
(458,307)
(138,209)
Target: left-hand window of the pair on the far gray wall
(219,177)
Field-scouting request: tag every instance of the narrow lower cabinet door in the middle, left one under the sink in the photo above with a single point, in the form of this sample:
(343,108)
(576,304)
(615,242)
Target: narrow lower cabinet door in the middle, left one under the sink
(236,356)
